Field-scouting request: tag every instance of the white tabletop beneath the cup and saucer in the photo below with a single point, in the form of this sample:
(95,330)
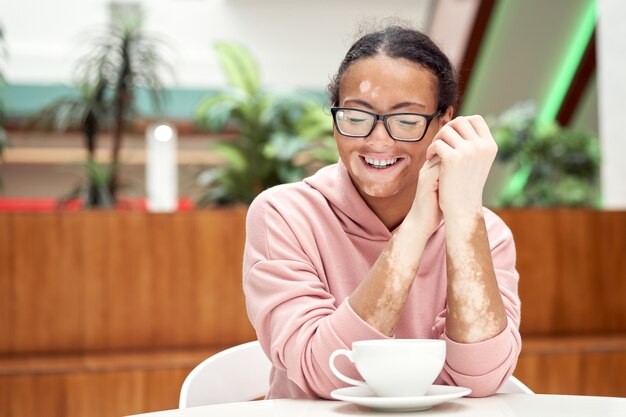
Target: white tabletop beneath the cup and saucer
(501,405)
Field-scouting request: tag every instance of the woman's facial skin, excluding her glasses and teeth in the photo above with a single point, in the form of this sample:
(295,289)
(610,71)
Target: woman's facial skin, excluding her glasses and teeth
(385,85)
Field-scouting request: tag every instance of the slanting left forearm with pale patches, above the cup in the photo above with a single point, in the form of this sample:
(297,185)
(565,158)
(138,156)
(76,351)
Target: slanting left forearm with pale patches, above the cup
(381,296)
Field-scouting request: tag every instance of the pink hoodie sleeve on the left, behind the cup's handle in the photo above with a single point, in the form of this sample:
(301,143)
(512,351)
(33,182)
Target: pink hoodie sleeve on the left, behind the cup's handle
(297,320)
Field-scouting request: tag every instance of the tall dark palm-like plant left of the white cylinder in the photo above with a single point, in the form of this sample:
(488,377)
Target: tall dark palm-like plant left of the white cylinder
(122,60)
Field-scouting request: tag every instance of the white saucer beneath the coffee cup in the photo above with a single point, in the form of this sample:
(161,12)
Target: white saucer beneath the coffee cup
(364,396)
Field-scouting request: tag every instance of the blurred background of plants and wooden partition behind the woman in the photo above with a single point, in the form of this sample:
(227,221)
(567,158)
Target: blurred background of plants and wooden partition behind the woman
(133,134)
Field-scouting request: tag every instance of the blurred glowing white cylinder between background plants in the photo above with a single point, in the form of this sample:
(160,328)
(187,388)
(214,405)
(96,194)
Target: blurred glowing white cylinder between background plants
(161,168)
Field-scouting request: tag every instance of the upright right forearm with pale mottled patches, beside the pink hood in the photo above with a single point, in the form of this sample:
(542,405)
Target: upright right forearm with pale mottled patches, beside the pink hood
(475,308)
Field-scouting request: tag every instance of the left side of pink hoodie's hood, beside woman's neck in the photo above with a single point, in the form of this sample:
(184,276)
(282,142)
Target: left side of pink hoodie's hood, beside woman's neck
(335,184)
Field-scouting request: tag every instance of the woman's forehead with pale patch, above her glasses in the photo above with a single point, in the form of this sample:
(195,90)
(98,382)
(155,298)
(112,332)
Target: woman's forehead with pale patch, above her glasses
(385,81)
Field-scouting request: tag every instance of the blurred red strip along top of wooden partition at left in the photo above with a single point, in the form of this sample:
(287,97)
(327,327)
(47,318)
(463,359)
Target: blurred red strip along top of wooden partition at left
(51,204)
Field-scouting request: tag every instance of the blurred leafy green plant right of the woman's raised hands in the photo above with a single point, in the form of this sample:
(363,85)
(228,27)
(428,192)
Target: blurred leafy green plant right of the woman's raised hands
(543,165)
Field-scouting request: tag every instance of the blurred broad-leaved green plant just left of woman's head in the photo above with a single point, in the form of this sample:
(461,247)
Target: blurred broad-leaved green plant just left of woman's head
(281,135)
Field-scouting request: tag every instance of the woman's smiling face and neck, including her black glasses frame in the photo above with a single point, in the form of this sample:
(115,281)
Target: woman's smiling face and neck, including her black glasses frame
(406,90)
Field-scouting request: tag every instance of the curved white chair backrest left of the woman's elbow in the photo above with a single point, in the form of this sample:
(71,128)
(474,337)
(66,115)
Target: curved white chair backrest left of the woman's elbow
(240,373)
